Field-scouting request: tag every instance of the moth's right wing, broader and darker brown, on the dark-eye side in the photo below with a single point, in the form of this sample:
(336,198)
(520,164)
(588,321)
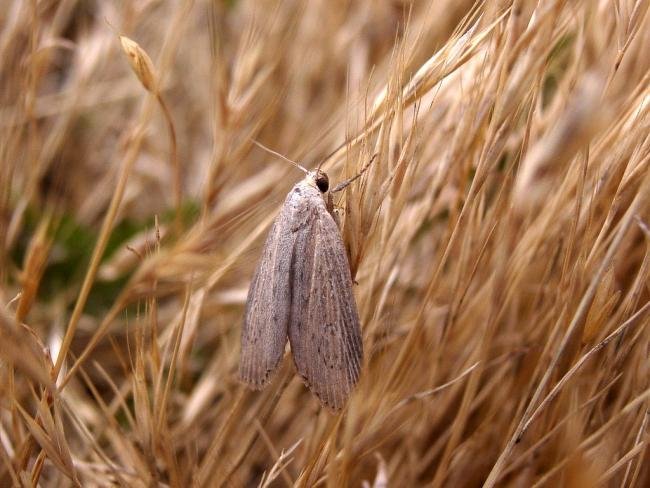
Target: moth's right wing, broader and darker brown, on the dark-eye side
(324,330)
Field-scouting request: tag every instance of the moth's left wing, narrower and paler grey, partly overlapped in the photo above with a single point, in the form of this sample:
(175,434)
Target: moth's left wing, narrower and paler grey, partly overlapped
(268,304)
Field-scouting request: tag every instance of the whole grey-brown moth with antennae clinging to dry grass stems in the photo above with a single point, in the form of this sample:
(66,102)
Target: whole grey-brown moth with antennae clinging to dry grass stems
(302,292)
